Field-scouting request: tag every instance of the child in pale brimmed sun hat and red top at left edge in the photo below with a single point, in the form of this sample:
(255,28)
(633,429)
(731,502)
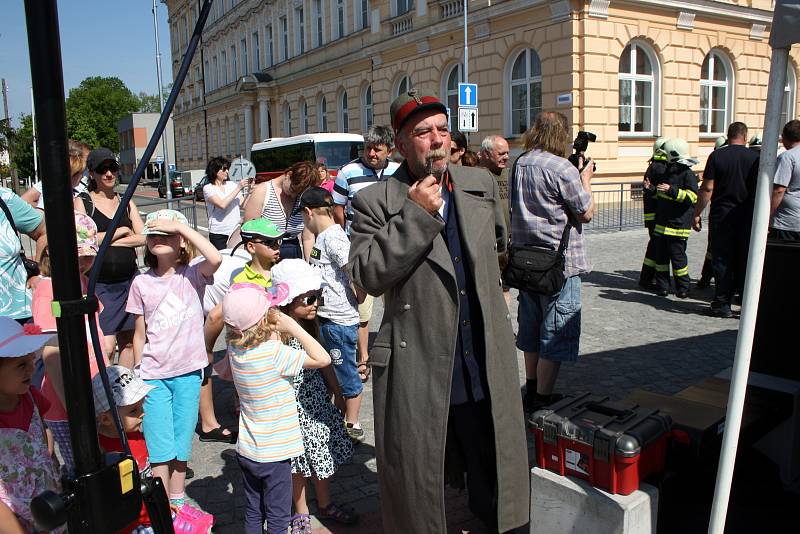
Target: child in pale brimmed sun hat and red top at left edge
(27,467)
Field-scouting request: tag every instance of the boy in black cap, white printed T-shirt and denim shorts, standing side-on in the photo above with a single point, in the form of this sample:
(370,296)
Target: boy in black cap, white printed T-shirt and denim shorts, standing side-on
(338,313)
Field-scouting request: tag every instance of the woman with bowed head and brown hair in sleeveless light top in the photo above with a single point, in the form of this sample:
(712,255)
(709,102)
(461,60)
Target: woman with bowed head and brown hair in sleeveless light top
(278,200)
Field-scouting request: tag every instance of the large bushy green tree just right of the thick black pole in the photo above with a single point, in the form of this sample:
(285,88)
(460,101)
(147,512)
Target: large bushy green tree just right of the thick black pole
(95,107)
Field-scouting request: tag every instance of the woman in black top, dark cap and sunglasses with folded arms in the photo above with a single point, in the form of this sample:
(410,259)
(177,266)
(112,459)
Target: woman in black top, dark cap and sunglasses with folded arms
(119,264)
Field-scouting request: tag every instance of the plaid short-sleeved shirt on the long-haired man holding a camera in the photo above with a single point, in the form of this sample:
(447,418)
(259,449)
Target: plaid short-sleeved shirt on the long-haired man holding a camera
(548,191)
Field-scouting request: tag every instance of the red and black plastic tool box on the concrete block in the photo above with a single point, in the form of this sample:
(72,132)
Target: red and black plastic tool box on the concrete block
(613,446)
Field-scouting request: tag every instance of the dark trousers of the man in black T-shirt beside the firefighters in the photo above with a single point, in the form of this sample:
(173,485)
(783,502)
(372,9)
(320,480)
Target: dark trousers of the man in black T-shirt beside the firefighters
(729,257)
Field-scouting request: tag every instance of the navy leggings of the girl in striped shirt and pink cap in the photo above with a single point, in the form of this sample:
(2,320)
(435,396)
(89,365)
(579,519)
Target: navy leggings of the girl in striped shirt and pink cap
(268,490)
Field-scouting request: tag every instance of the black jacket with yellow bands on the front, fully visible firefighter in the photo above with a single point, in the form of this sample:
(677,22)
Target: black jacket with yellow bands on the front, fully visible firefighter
(675,207)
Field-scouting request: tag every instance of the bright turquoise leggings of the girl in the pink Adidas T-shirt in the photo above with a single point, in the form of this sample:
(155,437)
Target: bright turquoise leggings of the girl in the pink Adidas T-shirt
(170,415)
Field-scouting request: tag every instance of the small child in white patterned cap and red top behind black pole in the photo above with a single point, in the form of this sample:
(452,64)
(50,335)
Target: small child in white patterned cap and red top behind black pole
(129,392)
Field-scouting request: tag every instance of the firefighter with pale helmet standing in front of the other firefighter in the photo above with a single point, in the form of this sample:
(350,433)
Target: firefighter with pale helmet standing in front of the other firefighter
(675,200)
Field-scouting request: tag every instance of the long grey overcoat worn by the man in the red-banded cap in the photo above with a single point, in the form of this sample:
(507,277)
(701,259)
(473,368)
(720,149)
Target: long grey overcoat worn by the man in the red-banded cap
(397,250)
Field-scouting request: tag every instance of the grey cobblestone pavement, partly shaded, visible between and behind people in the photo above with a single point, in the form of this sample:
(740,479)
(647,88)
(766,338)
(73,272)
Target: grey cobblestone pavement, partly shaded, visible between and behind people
(631,339)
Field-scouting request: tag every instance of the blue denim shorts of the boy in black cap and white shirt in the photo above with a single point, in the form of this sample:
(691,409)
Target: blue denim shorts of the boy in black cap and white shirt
(341,342)
